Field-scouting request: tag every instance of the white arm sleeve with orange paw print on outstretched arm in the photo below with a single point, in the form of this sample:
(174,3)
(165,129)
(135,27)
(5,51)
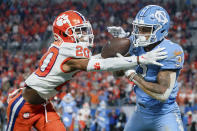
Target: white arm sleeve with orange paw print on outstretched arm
(112,64)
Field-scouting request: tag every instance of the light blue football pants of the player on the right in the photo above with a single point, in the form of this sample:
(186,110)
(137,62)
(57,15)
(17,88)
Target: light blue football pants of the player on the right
(140,121)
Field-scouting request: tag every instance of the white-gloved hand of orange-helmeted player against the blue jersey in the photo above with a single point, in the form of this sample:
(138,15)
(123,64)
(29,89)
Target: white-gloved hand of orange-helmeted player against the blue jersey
(153,56)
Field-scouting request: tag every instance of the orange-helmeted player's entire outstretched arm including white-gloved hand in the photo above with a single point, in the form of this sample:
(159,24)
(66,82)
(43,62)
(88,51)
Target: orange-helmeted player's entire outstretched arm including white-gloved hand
(115,63)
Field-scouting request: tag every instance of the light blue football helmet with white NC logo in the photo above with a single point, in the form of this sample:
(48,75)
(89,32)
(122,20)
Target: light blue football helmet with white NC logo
(154,17)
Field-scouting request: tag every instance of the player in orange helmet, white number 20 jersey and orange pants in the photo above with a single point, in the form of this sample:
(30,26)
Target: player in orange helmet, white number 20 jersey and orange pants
(66,56)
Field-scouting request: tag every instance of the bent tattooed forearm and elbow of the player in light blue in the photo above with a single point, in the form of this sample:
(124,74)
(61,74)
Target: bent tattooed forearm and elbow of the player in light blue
(160,90)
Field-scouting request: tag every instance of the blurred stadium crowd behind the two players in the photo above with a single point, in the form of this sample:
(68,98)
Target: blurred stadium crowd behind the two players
(25,25)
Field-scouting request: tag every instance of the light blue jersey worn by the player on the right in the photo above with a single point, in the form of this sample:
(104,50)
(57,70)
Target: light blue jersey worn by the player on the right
(174,61)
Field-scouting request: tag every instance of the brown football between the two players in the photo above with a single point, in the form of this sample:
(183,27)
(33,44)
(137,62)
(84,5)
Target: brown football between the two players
(115,45)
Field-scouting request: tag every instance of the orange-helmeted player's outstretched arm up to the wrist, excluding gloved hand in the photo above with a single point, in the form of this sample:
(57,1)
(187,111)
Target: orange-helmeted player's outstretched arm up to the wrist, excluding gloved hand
(92,64)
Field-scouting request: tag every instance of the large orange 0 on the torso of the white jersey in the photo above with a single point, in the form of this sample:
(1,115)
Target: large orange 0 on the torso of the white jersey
(47,62)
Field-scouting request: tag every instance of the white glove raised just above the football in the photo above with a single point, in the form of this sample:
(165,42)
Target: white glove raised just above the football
(117,32)
